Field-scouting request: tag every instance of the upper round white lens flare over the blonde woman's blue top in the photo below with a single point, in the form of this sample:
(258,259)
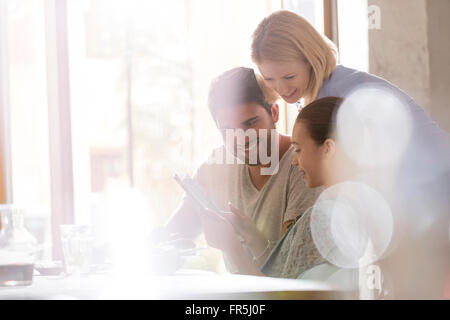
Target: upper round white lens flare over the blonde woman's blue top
(374,126)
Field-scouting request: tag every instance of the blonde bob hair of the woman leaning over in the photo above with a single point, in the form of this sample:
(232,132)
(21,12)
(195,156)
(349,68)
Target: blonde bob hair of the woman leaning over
(285,36)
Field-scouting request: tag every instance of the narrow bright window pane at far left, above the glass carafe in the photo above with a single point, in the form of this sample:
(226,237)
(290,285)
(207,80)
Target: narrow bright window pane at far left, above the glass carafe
(29,115)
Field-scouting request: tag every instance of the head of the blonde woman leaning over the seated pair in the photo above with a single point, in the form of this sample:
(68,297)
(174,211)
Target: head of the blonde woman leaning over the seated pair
(294,58)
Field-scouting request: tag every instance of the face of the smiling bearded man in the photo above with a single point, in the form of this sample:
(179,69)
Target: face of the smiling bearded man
(250,118)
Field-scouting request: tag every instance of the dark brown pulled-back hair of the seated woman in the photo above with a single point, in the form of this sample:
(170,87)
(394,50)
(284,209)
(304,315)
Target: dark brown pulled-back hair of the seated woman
(320,118)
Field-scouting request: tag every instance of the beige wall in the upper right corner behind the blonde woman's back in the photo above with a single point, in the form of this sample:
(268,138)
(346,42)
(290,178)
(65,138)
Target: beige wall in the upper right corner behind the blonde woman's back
(410,50)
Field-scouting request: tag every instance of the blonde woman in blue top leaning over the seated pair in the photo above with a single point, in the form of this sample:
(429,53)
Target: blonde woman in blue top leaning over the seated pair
(300,64)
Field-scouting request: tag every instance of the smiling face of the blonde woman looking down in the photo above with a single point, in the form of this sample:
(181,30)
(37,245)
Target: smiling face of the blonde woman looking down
(288,79)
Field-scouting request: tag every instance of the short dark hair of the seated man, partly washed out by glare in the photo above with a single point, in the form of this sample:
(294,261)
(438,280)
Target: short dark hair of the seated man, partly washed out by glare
(239,86)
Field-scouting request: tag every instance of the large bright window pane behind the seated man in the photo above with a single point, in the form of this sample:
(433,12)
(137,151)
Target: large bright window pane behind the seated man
(140,73)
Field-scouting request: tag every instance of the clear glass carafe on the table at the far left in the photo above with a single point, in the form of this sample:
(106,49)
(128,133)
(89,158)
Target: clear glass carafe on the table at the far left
(17,248)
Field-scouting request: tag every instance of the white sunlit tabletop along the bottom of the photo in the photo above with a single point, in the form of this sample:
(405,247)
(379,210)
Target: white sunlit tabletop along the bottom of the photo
(185,284)
